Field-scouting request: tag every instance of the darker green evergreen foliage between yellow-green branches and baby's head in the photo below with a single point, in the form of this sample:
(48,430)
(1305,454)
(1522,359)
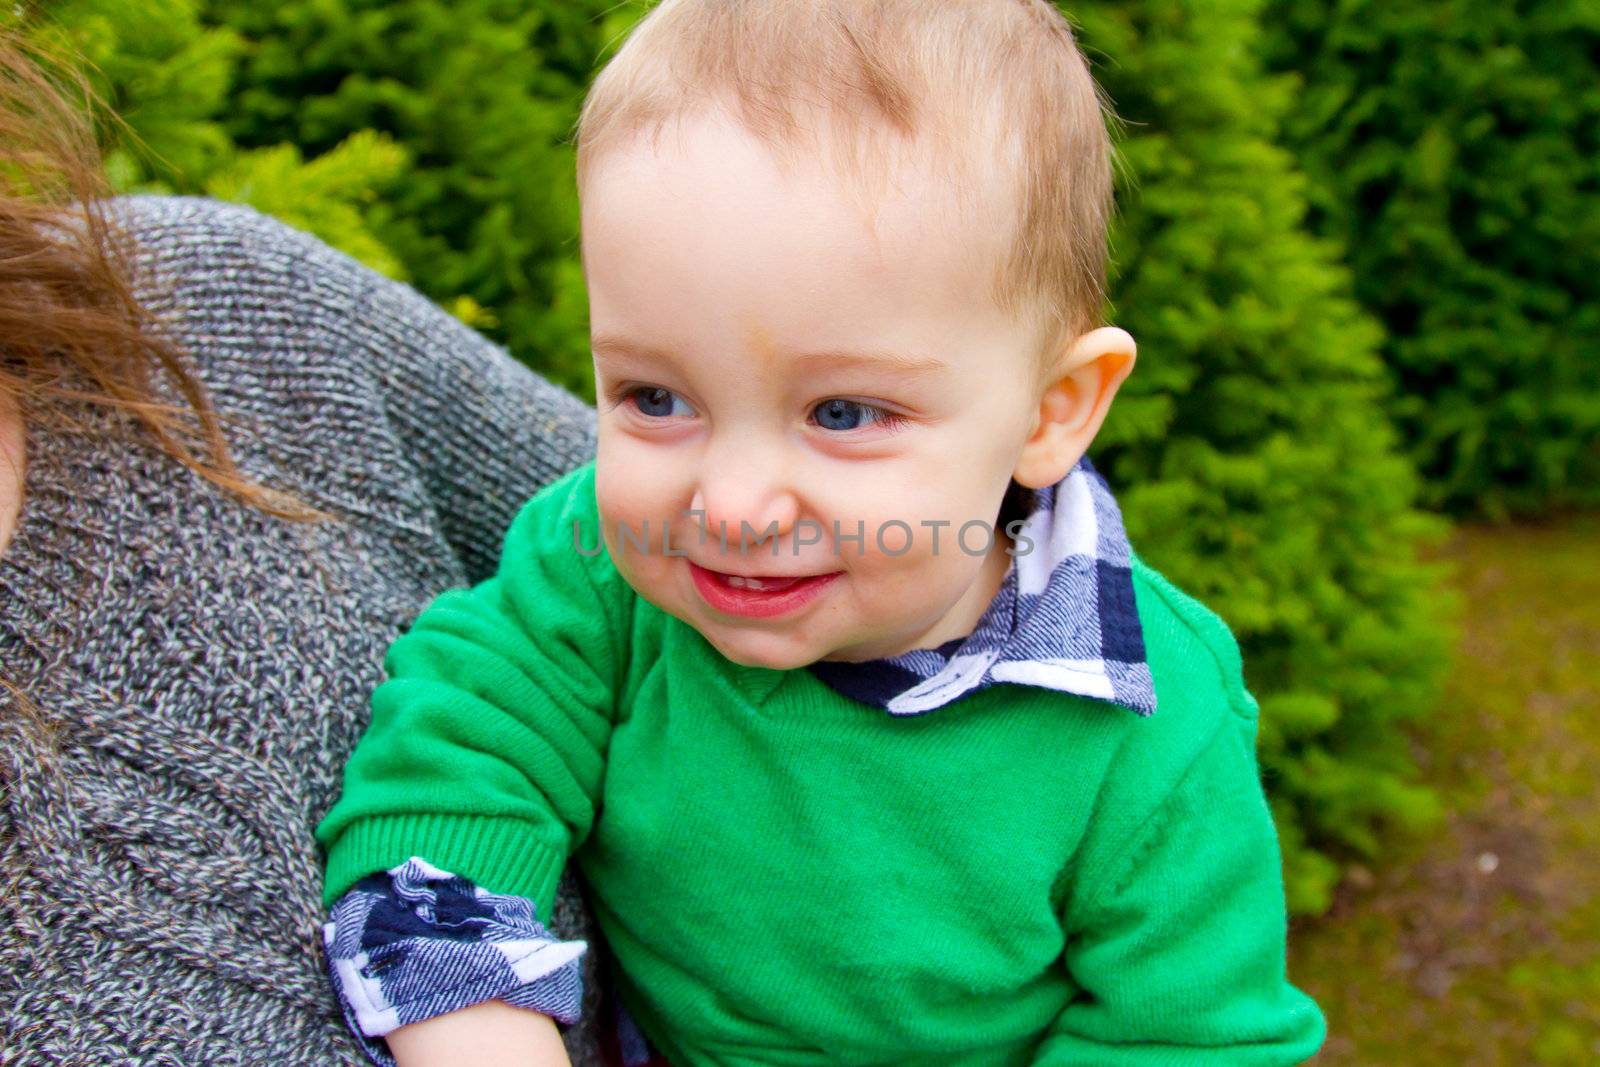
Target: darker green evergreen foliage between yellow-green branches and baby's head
(482,95)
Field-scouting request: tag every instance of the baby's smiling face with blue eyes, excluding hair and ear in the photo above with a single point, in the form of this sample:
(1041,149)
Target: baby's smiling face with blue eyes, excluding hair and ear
(769,361)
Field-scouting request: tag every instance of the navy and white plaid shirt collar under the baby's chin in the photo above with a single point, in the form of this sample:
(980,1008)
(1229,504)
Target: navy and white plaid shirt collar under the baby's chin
(1065,618)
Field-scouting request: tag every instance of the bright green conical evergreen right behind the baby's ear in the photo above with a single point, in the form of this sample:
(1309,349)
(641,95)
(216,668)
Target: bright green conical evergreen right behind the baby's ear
(1250,447)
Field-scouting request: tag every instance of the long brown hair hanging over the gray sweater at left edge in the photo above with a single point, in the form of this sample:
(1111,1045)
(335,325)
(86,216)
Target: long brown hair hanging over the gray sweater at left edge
(71,324)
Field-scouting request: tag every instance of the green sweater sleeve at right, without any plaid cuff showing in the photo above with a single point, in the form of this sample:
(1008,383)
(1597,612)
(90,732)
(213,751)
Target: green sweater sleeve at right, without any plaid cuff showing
(1182,943)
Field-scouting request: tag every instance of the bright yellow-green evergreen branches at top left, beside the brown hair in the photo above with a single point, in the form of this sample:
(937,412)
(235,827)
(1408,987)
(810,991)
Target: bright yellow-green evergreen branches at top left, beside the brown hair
(169,78)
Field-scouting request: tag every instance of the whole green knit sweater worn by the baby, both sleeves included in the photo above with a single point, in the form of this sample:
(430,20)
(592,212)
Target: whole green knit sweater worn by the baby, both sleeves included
(791,877)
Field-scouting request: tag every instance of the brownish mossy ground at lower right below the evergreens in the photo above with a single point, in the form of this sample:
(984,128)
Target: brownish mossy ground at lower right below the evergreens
(1481,946)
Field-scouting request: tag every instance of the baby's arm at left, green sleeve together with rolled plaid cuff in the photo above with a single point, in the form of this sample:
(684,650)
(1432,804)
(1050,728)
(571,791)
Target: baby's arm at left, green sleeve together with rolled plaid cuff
(486,757)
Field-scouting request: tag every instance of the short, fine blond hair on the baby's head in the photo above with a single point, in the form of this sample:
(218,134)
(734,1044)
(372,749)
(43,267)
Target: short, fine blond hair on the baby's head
(940,71)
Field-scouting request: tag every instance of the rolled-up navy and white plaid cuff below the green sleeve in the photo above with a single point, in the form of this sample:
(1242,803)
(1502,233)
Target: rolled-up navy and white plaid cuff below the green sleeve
(417,941)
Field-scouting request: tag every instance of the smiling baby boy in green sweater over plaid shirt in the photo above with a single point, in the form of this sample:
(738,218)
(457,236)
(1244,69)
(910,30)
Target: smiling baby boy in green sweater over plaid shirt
(834,674)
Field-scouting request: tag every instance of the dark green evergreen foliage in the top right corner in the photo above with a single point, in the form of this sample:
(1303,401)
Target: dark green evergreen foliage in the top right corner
(1455,153)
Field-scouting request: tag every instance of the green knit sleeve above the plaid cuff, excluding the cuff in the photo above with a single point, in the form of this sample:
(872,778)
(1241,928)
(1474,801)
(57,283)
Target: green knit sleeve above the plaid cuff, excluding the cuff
(487,745)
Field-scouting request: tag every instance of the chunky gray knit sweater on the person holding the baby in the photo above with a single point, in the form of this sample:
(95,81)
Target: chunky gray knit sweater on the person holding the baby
(193,673)
